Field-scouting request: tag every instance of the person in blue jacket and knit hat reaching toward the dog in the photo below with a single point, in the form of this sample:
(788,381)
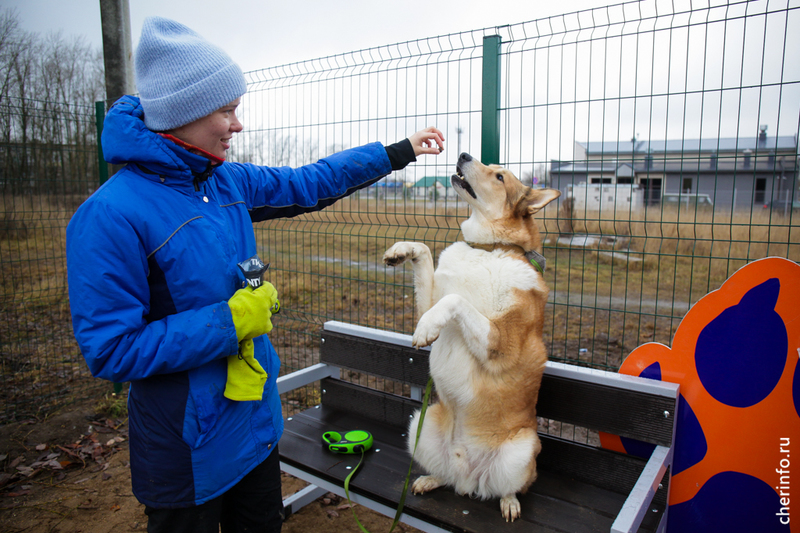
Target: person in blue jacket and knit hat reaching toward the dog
(157,298)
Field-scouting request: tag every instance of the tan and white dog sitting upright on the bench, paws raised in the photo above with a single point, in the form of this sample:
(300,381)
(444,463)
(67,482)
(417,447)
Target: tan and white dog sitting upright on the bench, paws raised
(482,312)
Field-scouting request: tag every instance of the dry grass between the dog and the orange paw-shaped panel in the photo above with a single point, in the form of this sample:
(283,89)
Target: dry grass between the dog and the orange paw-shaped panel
(612,308)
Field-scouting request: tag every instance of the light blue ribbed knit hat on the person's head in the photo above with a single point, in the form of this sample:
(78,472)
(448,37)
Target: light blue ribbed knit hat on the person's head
(182,77)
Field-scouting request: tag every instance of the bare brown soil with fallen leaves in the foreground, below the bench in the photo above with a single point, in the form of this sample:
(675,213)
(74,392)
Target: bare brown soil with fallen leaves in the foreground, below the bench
(70,473)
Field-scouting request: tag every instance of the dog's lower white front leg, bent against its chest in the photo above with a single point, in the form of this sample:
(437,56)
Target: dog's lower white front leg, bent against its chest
(475,328)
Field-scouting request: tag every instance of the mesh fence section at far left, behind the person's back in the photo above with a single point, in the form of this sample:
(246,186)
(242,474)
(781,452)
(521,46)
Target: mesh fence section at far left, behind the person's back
(48,166)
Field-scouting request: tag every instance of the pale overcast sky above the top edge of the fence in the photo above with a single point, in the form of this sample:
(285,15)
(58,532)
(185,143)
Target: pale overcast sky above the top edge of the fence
(265,33)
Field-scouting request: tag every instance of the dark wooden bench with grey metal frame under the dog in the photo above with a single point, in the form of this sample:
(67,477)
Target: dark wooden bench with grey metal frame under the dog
(580,487)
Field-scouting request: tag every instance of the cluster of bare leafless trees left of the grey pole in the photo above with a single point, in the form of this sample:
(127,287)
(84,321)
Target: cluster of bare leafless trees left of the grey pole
(48,86)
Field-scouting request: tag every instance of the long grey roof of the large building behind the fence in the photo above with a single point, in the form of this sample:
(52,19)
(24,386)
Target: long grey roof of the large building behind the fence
(760,144)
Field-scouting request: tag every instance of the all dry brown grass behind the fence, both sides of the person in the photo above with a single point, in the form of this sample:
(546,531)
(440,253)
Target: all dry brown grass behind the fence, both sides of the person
(327,265)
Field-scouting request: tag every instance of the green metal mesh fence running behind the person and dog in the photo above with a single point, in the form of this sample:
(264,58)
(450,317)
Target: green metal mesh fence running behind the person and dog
(670,129)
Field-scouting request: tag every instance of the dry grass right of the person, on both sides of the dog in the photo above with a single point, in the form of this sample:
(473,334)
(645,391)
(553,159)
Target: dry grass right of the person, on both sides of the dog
(327,263)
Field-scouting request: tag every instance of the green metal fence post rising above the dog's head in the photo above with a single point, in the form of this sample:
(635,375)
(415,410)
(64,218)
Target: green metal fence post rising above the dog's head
(490,112)
